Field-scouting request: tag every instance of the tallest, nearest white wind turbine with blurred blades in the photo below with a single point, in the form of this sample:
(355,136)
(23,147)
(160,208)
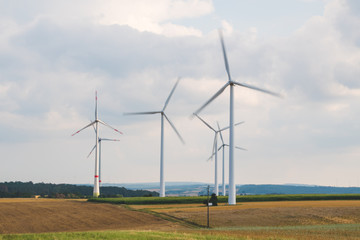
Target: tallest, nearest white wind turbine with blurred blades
(231,83)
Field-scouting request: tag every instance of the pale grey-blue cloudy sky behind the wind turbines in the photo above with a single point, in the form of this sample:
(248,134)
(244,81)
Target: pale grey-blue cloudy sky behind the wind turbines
(54,55)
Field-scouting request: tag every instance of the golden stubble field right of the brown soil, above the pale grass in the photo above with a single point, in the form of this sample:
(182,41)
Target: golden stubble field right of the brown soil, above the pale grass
(266,214)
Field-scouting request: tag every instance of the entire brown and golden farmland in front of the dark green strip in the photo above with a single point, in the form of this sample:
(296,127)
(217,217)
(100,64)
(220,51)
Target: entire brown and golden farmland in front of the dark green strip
(79,219)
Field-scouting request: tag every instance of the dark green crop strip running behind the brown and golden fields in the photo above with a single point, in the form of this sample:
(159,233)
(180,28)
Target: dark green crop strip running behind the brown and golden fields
(221,199)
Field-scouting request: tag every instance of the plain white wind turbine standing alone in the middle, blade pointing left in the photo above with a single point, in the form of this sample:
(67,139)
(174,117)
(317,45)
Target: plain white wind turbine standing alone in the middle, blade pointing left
(162,113)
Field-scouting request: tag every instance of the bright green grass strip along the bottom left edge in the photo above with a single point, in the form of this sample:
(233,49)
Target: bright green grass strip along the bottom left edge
(136,235)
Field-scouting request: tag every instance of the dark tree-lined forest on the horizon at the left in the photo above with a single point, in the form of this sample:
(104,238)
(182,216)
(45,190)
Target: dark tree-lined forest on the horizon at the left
(49,190)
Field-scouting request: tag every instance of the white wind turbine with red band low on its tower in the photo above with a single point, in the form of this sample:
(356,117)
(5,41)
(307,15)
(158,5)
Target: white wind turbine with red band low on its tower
(95,123)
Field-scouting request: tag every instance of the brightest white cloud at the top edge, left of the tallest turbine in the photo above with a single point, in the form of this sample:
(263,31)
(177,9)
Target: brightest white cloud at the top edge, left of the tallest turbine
(154,16)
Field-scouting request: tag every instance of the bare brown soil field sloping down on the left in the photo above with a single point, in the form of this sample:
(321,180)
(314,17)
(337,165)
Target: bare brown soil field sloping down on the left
(48,215)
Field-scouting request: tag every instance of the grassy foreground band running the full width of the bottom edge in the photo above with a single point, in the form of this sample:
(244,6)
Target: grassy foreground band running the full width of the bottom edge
(338,231)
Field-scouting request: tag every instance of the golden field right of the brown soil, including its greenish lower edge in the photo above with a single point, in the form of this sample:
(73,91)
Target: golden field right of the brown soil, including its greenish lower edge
(315,220)
